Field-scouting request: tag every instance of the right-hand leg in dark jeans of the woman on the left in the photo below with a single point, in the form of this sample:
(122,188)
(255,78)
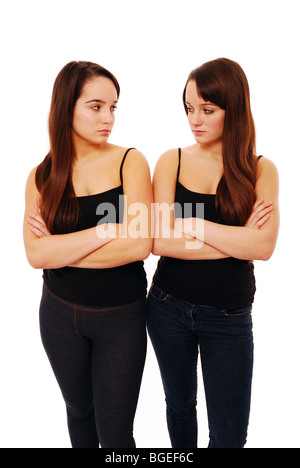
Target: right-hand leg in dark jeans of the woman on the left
(118,358)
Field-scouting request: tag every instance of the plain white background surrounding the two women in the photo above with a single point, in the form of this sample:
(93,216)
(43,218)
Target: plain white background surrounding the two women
(151,47)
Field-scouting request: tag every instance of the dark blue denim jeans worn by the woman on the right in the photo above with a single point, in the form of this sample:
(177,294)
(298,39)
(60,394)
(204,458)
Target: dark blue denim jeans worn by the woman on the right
(178,330)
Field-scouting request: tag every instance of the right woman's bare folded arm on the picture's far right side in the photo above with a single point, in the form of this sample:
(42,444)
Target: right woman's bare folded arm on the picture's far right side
(243,242)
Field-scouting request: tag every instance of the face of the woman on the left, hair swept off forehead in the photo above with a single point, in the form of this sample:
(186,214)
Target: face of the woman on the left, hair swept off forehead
(94,116)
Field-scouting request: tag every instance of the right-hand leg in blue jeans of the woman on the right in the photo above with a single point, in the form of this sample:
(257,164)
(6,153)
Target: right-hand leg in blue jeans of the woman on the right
(226,345)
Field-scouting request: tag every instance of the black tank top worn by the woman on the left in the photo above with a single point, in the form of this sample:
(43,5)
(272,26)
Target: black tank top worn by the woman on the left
(99,287)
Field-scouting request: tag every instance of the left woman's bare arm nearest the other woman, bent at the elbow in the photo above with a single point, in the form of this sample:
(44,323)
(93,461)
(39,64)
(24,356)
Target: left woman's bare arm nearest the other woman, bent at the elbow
(134,242)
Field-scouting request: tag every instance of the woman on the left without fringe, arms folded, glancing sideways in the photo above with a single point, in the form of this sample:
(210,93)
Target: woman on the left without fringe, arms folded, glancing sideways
(92,312)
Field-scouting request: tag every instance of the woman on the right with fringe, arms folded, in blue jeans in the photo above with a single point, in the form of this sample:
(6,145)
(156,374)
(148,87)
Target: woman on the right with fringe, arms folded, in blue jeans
(204,286)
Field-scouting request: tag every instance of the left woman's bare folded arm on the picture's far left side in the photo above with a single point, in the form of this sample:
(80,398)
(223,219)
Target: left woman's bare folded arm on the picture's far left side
(55,251)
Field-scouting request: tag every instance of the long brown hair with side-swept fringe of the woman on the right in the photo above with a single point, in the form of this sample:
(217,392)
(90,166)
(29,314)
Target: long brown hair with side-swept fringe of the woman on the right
(224,83)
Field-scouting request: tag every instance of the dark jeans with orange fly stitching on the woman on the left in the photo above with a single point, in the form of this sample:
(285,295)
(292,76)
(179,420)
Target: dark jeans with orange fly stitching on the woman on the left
(98,358)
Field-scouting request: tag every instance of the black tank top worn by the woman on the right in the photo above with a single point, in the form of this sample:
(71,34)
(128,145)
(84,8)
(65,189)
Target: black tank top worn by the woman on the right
(226,283)
